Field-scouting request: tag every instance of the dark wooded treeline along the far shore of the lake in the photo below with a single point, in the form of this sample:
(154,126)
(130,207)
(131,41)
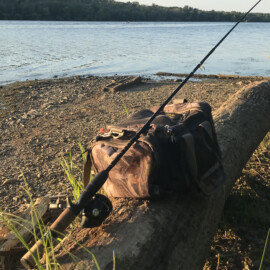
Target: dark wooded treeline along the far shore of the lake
(110,10)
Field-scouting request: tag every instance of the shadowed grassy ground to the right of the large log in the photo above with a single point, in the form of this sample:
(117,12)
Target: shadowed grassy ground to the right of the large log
(242,240)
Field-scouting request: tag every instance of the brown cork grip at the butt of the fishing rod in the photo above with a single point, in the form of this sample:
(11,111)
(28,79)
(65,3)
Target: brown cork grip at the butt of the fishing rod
(59,225)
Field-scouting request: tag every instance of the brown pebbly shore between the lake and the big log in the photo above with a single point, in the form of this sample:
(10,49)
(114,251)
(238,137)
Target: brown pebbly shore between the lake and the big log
(42,121)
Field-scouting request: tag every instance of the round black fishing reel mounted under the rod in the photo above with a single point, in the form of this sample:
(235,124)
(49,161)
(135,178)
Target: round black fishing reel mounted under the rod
(96,211)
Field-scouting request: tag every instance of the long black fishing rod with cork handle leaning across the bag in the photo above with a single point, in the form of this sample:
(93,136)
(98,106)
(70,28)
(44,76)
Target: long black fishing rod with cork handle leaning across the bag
(71,212)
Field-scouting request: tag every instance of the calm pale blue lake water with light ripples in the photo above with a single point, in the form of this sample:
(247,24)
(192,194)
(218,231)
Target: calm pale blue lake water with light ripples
(35,50)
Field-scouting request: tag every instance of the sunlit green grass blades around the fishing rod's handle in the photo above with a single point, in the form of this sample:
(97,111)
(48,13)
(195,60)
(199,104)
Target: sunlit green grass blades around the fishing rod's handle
(36,227)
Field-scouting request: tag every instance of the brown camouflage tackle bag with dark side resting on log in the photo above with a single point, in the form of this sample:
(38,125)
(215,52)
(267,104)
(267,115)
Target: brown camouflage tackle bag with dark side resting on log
(179,151)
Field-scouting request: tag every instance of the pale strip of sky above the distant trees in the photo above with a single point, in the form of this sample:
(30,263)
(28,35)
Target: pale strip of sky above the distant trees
(218,5)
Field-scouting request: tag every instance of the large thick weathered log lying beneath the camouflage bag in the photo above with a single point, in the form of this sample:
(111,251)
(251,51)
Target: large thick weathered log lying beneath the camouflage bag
(175,233)
